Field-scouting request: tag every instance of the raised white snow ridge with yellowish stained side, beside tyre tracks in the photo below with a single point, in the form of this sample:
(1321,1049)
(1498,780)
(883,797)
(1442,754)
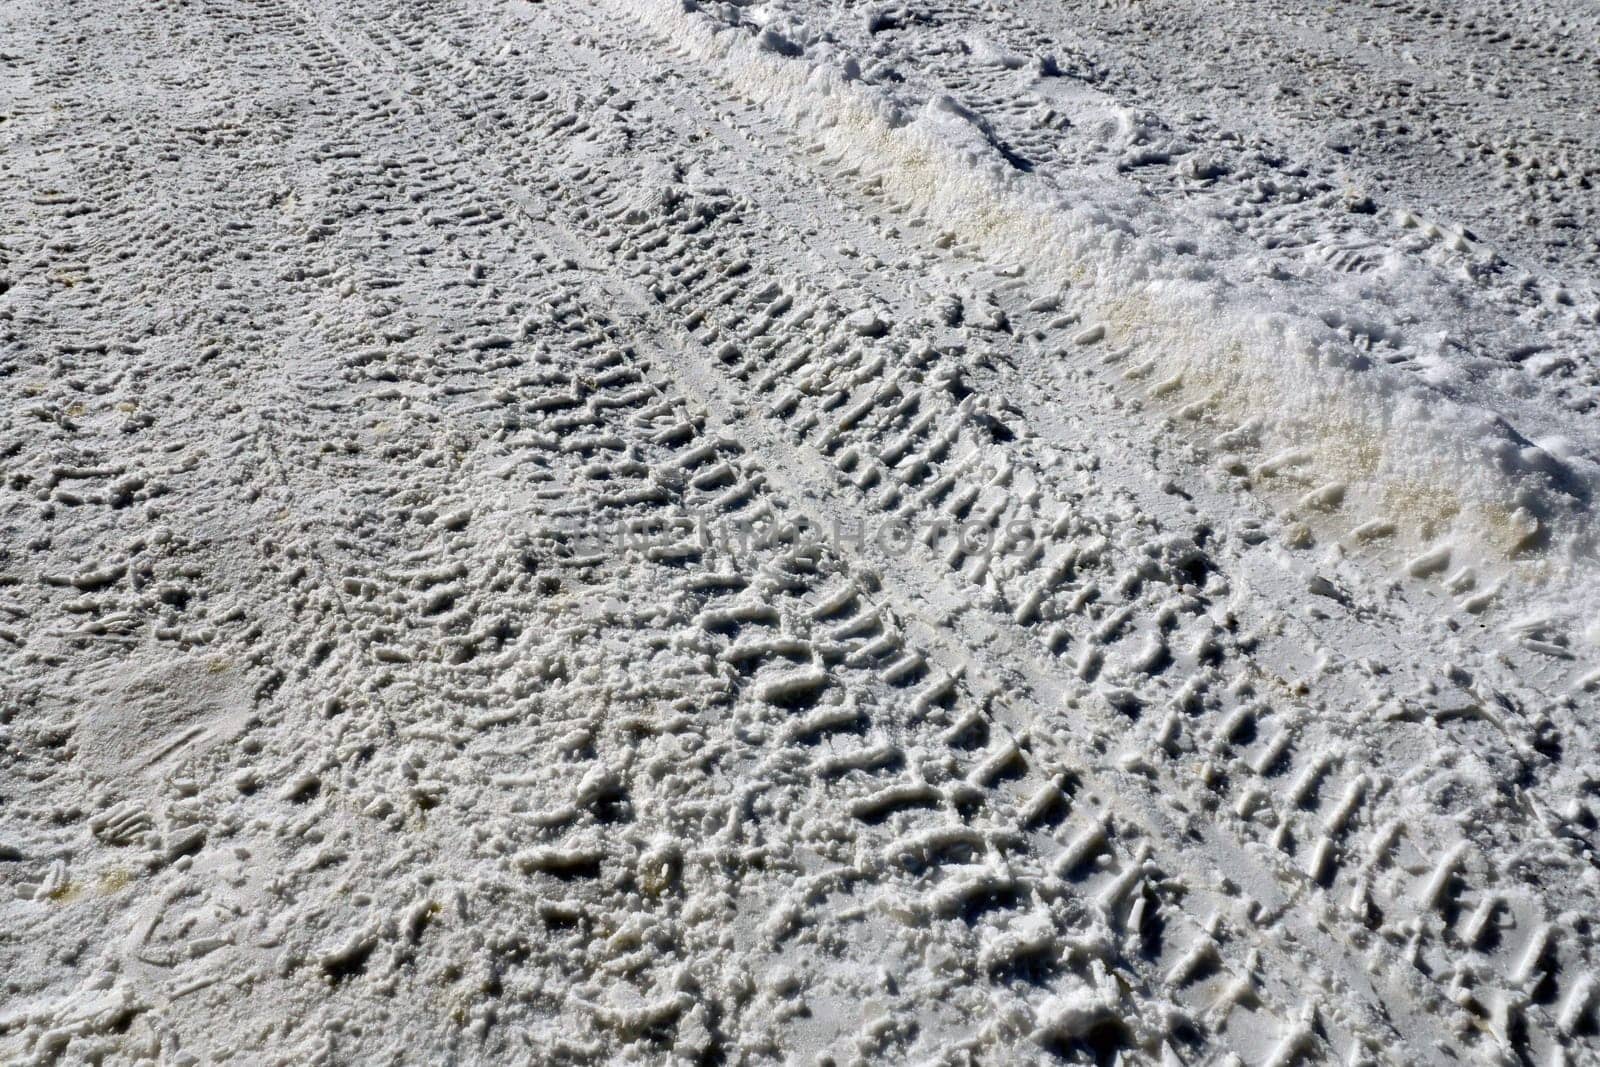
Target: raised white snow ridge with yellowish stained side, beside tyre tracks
(1318,422)
